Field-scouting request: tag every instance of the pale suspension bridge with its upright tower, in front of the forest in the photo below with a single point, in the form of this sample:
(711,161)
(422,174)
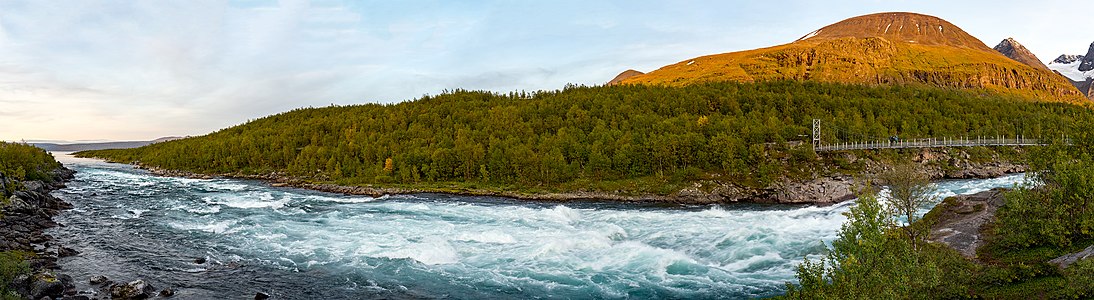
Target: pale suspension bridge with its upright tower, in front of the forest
(870,144)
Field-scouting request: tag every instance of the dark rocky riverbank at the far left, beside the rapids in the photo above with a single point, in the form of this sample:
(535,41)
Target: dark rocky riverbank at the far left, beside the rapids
(27,211)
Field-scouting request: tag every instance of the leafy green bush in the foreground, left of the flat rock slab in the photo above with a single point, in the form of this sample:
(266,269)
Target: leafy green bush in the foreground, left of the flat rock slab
(871,260)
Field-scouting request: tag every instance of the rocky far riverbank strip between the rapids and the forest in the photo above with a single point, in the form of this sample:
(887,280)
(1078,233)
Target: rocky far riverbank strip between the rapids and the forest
(822,187)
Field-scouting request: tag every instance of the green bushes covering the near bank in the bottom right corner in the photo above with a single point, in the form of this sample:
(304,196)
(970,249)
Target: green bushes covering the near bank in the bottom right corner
(1054,216)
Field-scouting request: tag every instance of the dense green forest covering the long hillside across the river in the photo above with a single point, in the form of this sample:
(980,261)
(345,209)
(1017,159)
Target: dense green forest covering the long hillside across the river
(589,137)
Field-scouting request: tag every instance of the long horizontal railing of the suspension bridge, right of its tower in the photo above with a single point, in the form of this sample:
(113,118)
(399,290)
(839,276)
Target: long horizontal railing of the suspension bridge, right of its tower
(933,143)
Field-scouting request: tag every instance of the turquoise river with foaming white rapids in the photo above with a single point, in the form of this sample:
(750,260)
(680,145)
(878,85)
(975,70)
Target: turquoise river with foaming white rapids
(300,245)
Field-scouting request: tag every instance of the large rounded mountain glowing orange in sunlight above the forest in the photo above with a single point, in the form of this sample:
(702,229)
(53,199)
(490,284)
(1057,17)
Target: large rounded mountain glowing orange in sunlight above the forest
(882,49)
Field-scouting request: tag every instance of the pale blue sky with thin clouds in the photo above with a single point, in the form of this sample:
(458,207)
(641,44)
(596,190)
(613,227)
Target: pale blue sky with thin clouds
(138,71)
